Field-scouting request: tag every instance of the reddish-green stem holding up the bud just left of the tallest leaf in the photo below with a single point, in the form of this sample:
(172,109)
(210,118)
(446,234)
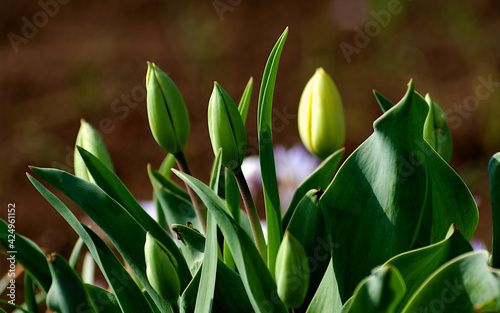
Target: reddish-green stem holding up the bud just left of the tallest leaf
(252,213)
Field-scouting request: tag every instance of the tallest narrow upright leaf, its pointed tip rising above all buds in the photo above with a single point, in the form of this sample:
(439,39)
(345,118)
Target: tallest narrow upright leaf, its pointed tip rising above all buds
(266,153)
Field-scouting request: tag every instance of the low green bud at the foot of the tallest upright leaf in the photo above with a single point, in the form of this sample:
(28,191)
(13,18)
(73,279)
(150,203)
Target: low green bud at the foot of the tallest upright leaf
(292,272)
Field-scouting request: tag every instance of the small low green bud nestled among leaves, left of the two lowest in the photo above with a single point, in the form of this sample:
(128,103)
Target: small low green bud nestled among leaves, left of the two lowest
(161,270)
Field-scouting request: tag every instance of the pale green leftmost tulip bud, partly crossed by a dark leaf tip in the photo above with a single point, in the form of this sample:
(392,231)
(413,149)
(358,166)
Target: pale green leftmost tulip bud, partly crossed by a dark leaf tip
(89,139)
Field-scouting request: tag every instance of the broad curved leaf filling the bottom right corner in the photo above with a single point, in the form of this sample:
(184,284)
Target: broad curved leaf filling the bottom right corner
(464,284)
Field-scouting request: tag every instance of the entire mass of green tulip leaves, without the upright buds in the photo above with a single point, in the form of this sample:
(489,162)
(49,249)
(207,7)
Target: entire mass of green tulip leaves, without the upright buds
(388,231)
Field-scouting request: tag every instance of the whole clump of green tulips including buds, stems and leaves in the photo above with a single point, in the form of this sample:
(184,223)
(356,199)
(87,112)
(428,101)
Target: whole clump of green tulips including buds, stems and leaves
(387,230)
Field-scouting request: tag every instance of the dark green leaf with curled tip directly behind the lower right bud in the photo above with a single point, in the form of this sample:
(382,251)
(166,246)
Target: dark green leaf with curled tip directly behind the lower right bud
(308,227)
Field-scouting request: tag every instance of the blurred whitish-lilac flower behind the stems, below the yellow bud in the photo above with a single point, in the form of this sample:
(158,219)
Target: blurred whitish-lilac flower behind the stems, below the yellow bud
(292,167)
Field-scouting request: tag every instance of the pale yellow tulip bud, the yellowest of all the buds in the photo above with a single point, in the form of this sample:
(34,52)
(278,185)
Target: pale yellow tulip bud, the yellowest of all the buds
(321,116)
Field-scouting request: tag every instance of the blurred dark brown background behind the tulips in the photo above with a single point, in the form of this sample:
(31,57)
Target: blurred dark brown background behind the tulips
(66,60)
